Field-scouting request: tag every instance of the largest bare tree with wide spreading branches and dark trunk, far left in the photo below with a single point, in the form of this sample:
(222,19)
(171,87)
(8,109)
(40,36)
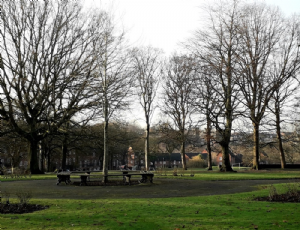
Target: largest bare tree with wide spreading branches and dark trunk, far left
(46,56)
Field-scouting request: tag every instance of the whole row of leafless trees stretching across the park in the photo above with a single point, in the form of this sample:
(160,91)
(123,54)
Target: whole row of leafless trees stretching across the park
(64,69)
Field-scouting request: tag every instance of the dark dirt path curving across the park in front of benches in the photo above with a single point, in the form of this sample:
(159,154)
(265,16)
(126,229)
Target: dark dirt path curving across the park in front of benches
(161,188)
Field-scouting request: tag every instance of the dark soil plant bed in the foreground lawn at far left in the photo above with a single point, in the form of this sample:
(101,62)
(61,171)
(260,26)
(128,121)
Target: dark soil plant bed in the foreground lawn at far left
(7,208)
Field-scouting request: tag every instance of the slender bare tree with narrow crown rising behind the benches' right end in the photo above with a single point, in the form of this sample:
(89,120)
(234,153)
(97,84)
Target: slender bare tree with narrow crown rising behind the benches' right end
(147,66)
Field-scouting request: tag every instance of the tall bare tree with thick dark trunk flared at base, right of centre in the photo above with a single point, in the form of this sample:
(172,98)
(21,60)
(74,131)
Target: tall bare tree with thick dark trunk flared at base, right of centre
(215,46)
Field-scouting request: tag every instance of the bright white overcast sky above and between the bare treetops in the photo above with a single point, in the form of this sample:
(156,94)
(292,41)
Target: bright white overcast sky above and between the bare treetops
(165,23)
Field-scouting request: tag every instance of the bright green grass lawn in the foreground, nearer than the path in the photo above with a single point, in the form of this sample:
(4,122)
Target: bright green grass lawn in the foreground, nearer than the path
(236,211)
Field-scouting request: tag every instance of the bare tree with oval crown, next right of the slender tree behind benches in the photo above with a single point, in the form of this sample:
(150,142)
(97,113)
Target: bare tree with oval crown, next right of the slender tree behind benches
(178,100)
